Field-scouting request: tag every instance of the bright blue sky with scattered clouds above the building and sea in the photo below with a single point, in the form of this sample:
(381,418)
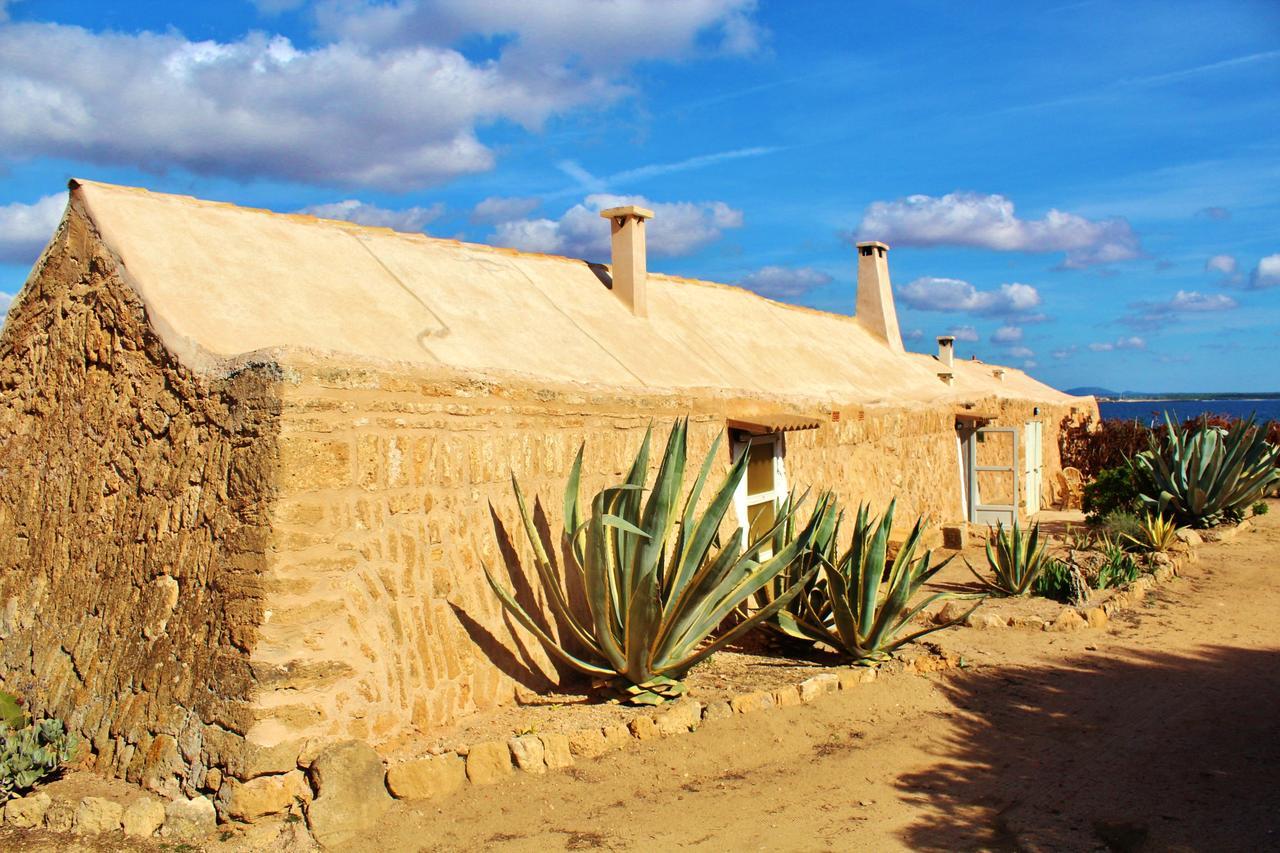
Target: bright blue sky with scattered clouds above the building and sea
(1089,190)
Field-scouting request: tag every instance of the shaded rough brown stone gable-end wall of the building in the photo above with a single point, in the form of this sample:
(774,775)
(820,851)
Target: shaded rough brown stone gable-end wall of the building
(132,524)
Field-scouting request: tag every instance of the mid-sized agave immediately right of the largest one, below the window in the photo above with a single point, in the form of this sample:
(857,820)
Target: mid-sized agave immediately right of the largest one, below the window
(861,603)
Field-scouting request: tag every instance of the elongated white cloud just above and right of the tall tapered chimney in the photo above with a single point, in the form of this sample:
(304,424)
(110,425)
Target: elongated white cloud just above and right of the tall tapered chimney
(990,222)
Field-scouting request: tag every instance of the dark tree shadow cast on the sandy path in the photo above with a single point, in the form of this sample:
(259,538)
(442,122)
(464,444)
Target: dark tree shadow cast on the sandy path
(1148,752)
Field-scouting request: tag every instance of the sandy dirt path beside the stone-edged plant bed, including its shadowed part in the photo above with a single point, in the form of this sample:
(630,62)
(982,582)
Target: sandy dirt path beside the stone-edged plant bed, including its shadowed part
(1160,733)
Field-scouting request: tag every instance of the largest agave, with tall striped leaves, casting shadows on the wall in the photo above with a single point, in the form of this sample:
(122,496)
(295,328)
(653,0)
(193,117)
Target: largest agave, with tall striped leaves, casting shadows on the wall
(657,580)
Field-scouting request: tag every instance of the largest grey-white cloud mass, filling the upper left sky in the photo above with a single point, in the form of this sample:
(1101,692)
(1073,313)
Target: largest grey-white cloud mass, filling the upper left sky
(388,103)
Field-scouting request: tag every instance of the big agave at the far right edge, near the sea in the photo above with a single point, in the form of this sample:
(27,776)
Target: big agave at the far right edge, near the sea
(1206,476)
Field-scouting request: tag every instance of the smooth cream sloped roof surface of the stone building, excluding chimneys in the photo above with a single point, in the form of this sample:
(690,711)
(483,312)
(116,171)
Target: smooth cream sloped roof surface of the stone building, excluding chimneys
(222,281)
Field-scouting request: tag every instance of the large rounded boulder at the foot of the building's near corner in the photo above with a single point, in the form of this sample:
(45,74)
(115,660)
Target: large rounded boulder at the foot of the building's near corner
(351,793)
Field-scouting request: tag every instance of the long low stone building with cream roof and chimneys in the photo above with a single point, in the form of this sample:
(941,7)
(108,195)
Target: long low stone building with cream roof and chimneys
(253,463)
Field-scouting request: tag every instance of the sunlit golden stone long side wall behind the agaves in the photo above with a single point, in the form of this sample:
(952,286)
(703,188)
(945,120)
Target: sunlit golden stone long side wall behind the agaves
(394,490)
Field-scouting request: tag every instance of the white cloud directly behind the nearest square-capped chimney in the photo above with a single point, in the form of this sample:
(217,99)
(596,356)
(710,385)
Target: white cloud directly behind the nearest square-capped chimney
(678,229)
